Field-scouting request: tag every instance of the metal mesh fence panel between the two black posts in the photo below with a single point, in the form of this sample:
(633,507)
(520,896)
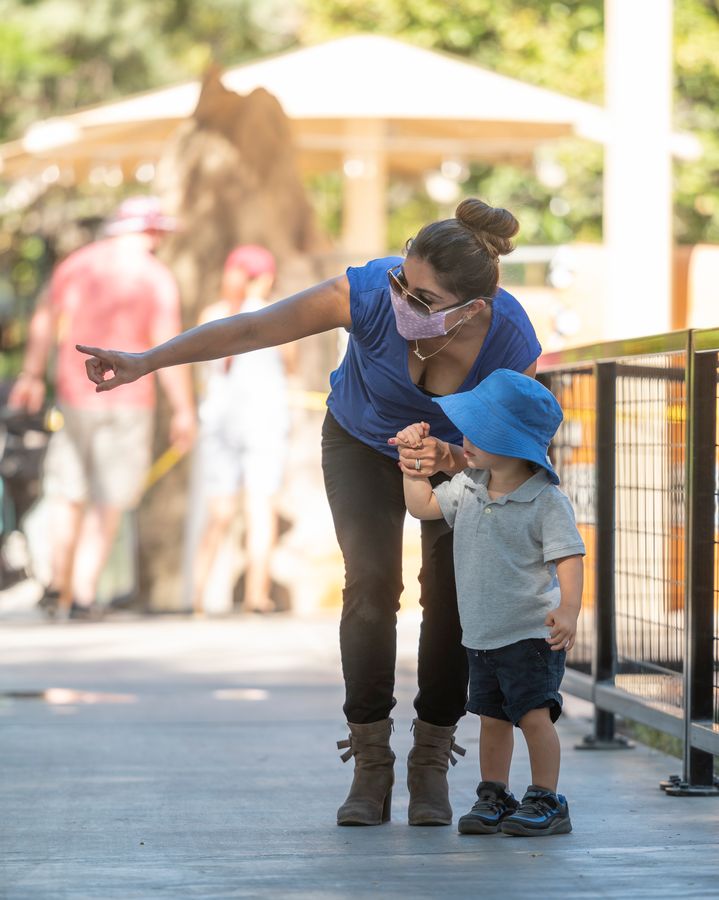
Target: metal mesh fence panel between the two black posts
(650,526)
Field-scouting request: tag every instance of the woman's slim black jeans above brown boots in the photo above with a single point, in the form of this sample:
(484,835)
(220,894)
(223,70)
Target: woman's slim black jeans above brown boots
(364,488)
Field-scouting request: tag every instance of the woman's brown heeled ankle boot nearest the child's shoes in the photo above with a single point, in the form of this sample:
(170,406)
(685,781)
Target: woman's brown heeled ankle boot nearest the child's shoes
(427,765)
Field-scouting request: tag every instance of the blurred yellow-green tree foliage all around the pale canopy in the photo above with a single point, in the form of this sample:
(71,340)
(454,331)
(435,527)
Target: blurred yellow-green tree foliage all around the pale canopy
(58,55)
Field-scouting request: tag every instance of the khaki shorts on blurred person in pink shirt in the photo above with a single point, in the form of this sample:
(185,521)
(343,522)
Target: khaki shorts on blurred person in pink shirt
(100,456)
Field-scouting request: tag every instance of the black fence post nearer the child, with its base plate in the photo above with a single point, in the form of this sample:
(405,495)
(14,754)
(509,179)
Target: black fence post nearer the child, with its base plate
(604,662)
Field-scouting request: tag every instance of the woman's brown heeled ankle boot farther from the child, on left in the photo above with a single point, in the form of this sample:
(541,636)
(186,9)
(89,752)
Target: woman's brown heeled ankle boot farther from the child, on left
(369,801)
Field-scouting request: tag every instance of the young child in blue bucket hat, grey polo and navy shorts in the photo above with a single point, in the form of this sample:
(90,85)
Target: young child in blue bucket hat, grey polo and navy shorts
(518,564)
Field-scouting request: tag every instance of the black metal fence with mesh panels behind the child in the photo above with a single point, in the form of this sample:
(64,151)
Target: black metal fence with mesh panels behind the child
(638,455)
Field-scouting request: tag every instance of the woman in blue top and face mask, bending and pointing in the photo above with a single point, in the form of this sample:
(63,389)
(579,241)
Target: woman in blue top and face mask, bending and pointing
(432,324)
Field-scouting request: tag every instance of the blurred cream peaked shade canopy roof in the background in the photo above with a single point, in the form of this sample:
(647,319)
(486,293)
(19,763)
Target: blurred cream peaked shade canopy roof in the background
(429,107)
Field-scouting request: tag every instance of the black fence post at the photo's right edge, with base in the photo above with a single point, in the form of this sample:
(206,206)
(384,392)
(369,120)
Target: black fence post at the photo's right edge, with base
(700,503)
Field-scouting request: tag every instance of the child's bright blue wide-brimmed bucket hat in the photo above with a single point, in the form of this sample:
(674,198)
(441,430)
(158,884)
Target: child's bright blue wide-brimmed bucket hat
(508,414)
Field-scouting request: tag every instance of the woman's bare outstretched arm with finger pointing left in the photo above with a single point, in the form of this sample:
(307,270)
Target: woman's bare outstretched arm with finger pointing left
(320,308)
